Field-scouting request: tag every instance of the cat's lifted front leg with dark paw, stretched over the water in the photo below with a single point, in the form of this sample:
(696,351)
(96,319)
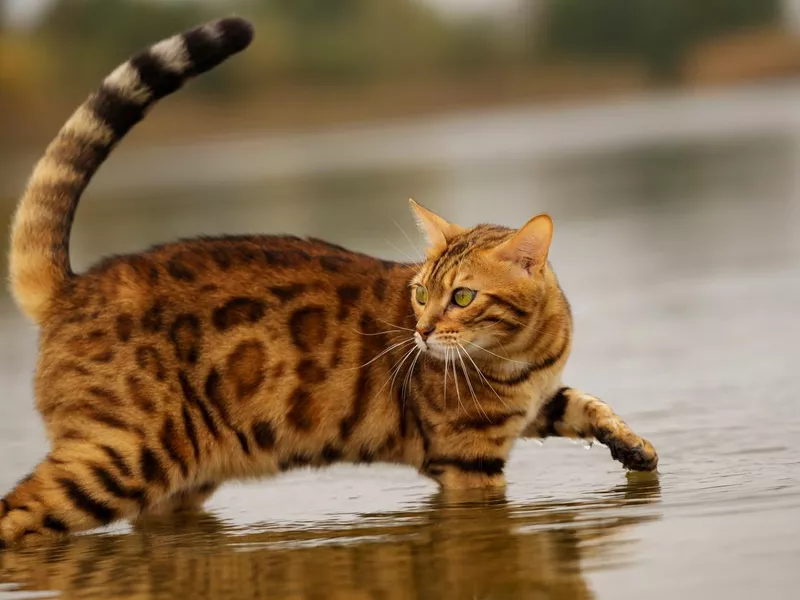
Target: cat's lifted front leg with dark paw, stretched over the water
(575,414)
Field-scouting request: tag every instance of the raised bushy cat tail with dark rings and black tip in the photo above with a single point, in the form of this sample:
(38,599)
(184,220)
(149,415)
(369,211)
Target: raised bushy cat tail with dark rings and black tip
(39,264)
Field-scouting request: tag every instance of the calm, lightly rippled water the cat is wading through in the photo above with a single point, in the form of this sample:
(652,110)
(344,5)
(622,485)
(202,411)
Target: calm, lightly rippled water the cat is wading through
(681,257)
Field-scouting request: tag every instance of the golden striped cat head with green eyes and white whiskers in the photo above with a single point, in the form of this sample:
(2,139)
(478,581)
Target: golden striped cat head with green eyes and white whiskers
(480,289)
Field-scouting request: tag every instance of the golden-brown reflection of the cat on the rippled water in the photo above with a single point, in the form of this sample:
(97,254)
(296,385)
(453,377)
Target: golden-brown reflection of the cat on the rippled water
(455,545)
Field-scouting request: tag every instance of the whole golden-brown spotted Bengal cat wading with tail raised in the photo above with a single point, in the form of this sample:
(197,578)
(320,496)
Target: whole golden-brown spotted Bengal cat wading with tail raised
(162,374)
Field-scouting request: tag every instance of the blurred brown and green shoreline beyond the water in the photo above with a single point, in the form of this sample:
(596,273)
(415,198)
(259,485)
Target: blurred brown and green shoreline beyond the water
(332,60)
